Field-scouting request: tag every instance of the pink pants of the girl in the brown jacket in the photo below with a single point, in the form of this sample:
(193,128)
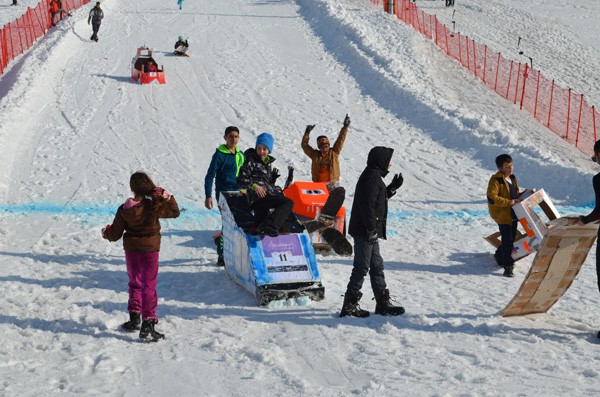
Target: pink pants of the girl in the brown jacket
(142,269)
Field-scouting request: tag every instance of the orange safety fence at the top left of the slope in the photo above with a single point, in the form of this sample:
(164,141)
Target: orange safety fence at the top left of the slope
(19,35)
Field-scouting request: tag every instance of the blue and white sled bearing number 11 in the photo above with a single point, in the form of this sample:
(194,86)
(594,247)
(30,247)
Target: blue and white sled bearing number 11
(271,268)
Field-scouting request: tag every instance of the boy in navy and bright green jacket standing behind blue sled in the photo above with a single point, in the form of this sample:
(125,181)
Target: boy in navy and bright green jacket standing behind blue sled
(223,169)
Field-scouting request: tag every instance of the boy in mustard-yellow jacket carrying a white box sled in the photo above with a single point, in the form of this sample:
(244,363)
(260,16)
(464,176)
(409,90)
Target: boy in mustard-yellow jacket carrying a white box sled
(502,193)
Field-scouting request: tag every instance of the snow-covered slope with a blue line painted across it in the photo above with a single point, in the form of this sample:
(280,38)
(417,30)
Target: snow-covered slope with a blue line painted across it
(74,126)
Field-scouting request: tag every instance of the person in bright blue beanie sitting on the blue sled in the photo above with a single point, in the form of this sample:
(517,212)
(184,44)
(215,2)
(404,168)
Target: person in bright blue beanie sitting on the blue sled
(258,177)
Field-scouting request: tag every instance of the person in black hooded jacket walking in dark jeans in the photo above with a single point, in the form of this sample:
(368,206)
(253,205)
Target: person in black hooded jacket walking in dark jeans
(367,226)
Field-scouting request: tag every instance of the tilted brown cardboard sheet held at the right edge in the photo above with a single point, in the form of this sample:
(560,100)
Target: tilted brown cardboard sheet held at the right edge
(556,264)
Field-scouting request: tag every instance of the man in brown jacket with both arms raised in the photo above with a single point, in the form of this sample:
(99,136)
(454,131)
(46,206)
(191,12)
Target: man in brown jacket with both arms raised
(325,168)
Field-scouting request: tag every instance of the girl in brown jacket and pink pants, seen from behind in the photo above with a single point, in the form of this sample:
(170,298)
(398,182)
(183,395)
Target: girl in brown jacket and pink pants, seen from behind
(137,221)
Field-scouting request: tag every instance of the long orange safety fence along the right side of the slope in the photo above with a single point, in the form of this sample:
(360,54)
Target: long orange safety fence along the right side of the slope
(560,109)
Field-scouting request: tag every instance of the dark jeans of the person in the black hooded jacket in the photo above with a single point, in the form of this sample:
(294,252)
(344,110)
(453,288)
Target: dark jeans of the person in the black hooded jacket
(366,260)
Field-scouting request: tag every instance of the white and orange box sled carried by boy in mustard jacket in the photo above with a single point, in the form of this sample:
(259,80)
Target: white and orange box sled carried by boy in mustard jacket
(534,227)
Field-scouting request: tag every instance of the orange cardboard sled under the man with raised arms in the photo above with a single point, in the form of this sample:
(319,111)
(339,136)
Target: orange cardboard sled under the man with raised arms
(309,198)
